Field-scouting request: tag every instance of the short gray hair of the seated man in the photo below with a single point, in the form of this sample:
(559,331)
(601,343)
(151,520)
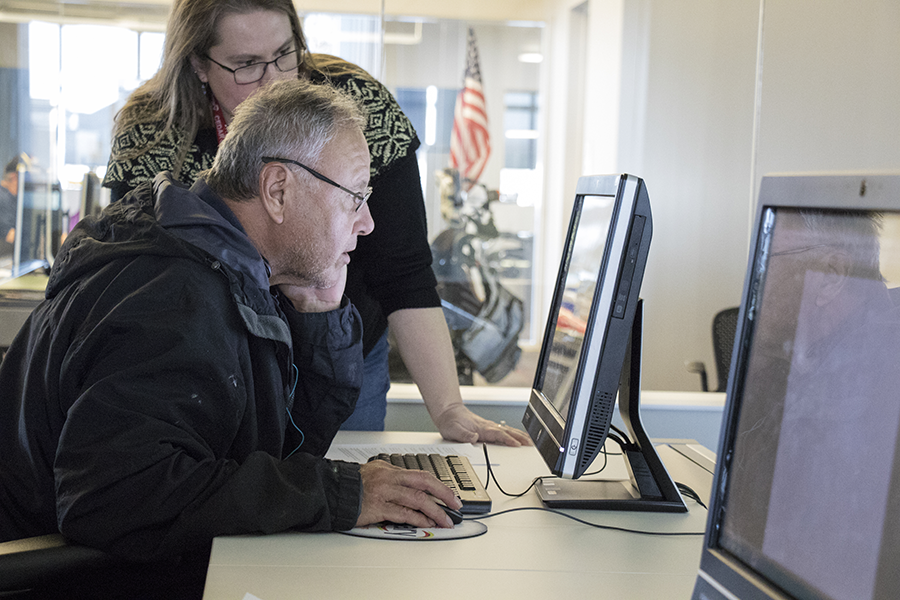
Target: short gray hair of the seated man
(287,119)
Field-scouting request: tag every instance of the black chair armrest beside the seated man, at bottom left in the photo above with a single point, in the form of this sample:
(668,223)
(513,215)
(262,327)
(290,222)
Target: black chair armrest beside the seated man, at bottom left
(39,567)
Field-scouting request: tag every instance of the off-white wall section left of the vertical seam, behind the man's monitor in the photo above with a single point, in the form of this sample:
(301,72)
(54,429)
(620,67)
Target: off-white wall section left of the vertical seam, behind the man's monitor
(692,144)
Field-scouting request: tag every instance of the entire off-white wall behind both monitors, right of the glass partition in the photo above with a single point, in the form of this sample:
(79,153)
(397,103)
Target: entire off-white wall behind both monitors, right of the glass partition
(685,74)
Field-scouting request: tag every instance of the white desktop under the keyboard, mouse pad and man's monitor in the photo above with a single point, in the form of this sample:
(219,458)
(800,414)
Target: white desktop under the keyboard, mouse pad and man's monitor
(527,554)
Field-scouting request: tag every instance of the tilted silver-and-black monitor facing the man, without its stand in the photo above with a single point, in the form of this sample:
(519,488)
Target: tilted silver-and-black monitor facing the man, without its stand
(590,322)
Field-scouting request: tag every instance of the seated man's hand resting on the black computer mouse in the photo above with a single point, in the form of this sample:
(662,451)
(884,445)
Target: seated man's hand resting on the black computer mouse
(403,496)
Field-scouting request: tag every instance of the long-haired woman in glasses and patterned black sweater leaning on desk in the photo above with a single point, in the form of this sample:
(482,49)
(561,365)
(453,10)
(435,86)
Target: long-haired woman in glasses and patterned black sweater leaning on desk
(219,52)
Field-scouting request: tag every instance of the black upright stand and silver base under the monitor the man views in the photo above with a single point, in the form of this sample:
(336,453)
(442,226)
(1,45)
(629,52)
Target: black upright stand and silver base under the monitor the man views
(650,488)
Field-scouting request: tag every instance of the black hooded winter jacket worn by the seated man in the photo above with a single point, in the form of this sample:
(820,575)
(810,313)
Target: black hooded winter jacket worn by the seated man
(161,395)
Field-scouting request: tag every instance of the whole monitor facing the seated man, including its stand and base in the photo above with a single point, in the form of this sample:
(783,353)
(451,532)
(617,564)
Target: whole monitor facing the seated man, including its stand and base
(591,352)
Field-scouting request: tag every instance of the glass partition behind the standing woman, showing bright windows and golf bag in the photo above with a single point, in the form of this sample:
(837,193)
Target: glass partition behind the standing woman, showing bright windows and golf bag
(73,77)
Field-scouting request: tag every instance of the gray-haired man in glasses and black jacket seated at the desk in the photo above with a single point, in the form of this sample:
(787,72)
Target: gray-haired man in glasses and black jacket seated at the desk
(195,356)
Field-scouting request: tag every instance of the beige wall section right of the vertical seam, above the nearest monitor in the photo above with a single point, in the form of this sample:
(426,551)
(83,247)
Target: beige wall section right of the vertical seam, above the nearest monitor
(831,86)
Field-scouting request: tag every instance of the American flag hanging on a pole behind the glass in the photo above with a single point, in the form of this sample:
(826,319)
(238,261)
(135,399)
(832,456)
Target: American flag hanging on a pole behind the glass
(470,143)
